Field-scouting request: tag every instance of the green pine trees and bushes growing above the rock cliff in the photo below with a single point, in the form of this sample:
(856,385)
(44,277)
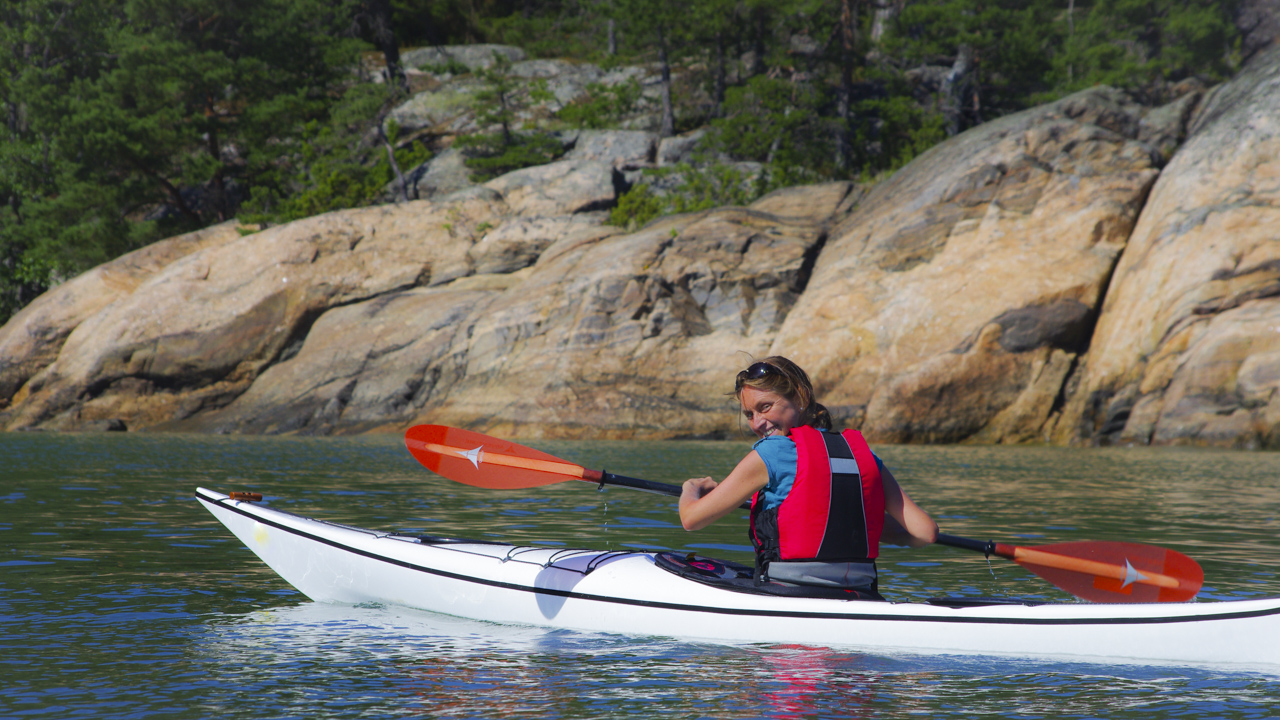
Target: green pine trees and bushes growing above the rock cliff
(126,121)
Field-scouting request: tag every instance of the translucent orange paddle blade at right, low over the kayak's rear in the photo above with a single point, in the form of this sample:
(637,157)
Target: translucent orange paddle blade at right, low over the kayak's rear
(1113,572)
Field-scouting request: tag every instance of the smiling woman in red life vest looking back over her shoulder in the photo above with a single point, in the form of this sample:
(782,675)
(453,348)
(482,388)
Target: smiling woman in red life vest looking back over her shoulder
(821,502)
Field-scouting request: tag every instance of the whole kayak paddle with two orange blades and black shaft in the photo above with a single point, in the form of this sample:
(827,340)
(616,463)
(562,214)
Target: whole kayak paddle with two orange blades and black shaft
(1096,571)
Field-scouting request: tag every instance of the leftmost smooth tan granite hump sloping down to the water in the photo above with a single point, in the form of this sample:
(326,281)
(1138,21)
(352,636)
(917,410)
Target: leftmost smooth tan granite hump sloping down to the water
(198,332)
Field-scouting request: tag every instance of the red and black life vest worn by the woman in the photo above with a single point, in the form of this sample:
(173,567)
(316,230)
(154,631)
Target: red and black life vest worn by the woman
(836,508)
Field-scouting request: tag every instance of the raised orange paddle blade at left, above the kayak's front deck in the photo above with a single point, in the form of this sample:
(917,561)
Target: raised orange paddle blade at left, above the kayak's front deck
(484,462)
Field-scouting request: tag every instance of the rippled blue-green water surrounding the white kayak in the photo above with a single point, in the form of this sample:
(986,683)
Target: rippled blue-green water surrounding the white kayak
(122,598)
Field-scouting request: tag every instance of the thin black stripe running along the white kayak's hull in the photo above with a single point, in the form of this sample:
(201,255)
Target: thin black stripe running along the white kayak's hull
(729,610)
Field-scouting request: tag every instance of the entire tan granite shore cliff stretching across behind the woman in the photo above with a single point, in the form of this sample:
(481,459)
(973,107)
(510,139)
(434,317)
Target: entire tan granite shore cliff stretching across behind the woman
(1052,276)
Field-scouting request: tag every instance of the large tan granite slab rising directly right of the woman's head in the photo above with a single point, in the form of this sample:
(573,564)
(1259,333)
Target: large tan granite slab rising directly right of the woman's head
(954,302)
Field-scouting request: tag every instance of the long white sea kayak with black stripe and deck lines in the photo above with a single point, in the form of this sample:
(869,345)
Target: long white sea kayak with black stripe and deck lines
(642,594)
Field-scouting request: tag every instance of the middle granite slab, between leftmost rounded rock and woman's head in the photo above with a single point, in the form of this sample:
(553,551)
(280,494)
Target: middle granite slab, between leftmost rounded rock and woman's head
(607,335)
